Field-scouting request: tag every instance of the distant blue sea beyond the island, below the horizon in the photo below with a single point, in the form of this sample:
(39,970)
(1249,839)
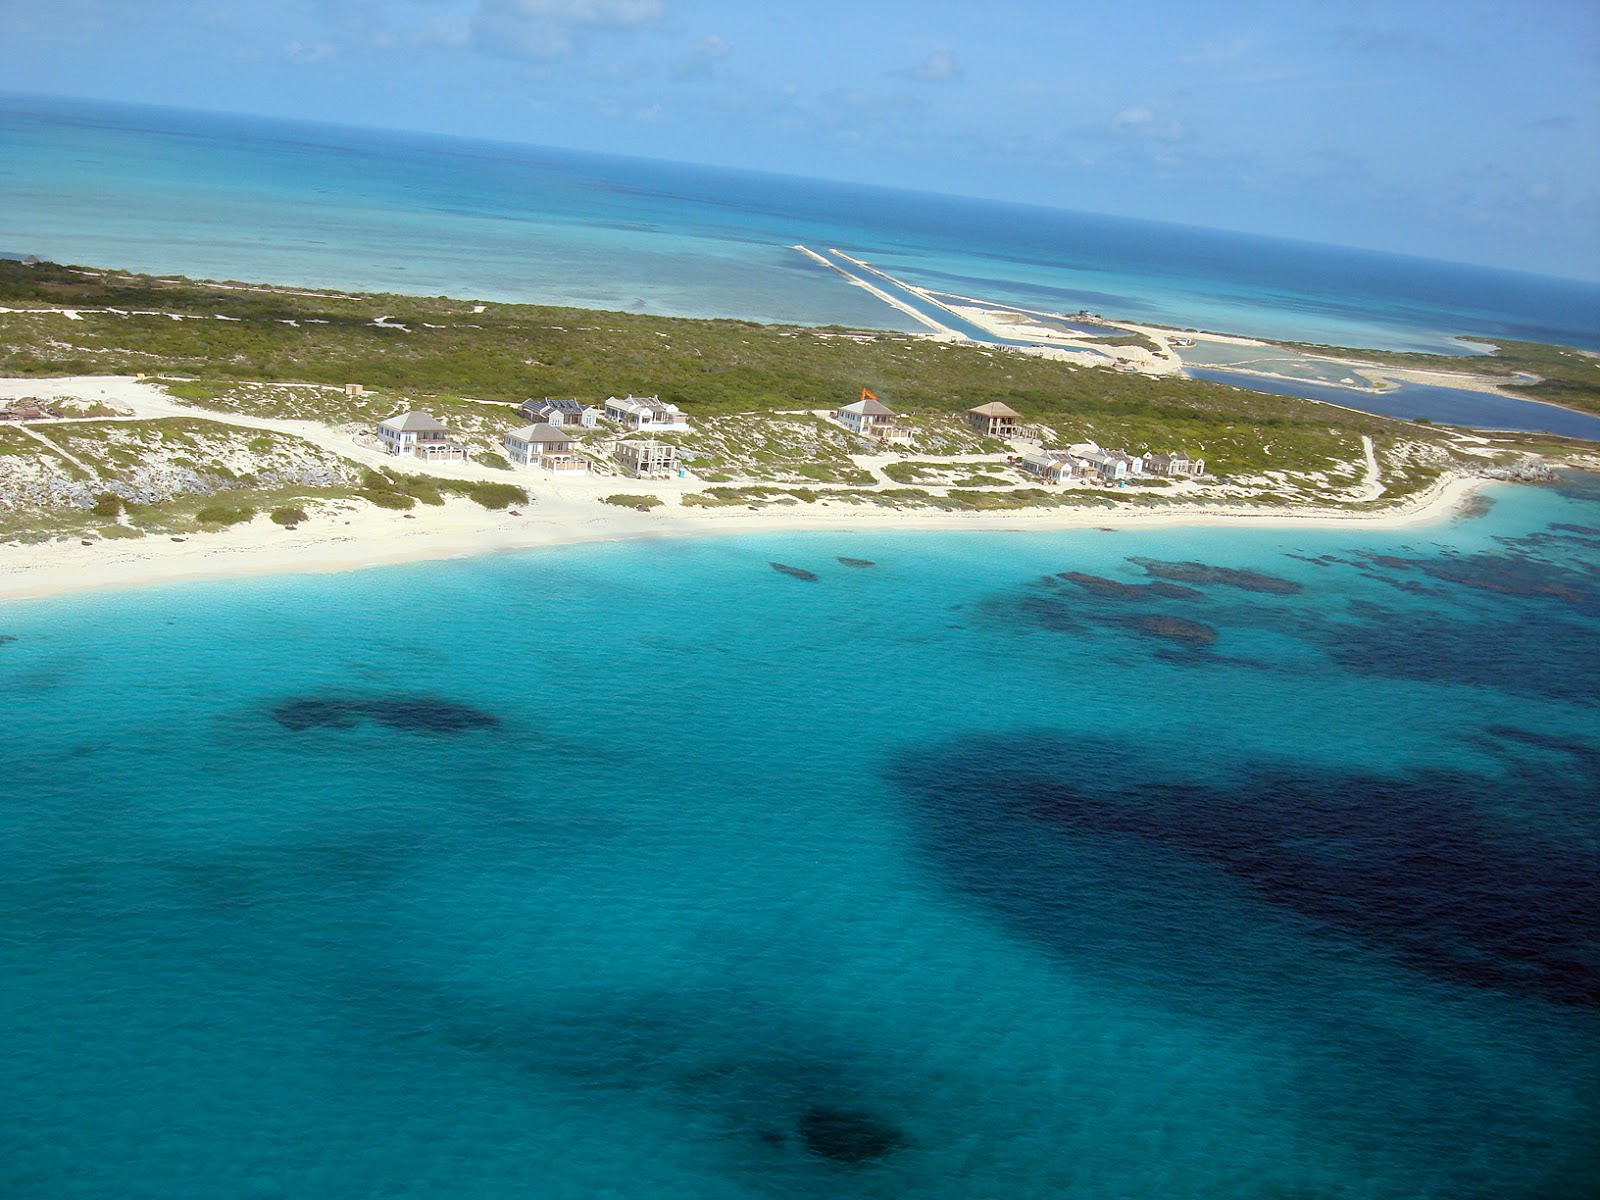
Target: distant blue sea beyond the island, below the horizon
(233,198)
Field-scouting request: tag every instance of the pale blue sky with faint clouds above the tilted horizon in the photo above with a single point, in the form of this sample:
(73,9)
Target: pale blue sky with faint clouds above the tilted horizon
(1462,130)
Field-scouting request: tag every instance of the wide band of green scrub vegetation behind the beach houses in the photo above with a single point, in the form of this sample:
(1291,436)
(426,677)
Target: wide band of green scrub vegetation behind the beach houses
(508,353)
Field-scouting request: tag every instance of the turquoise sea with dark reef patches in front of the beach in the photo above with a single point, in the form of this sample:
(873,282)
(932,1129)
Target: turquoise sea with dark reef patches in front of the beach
(1252,865)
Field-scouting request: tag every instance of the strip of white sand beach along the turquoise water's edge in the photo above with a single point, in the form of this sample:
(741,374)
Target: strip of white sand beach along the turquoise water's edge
(367,537)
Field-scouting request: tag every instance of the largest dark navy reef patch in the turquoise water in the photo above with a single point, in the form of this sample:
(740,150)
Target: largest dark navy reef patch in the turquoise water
(1418,866)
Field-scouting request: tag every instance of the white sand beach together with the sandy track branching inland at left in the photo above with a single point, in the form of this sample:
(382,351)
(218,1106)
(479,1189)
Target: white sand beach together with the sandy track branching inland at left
(353,535)
